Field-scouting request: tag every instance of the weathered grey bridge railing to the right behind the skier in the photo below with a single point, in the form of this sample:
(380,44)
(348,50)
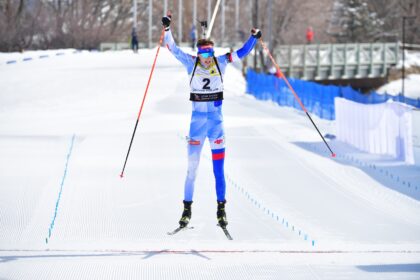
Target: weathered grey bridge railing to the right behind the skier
(335,61)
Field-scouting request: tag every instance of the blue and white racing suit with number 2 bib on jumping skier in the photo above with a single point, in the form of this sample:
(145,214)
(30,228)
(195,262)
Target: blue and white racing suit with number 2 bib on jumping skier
(206,94)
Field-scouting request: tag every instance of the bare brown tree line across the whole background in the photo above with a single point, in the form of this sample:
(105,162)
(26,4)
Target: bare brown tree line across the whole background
(84,24)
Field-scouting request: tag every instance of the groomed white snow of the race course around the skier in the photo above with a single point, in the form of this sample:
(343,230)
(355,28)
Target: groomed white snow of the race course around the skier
(294,211)
